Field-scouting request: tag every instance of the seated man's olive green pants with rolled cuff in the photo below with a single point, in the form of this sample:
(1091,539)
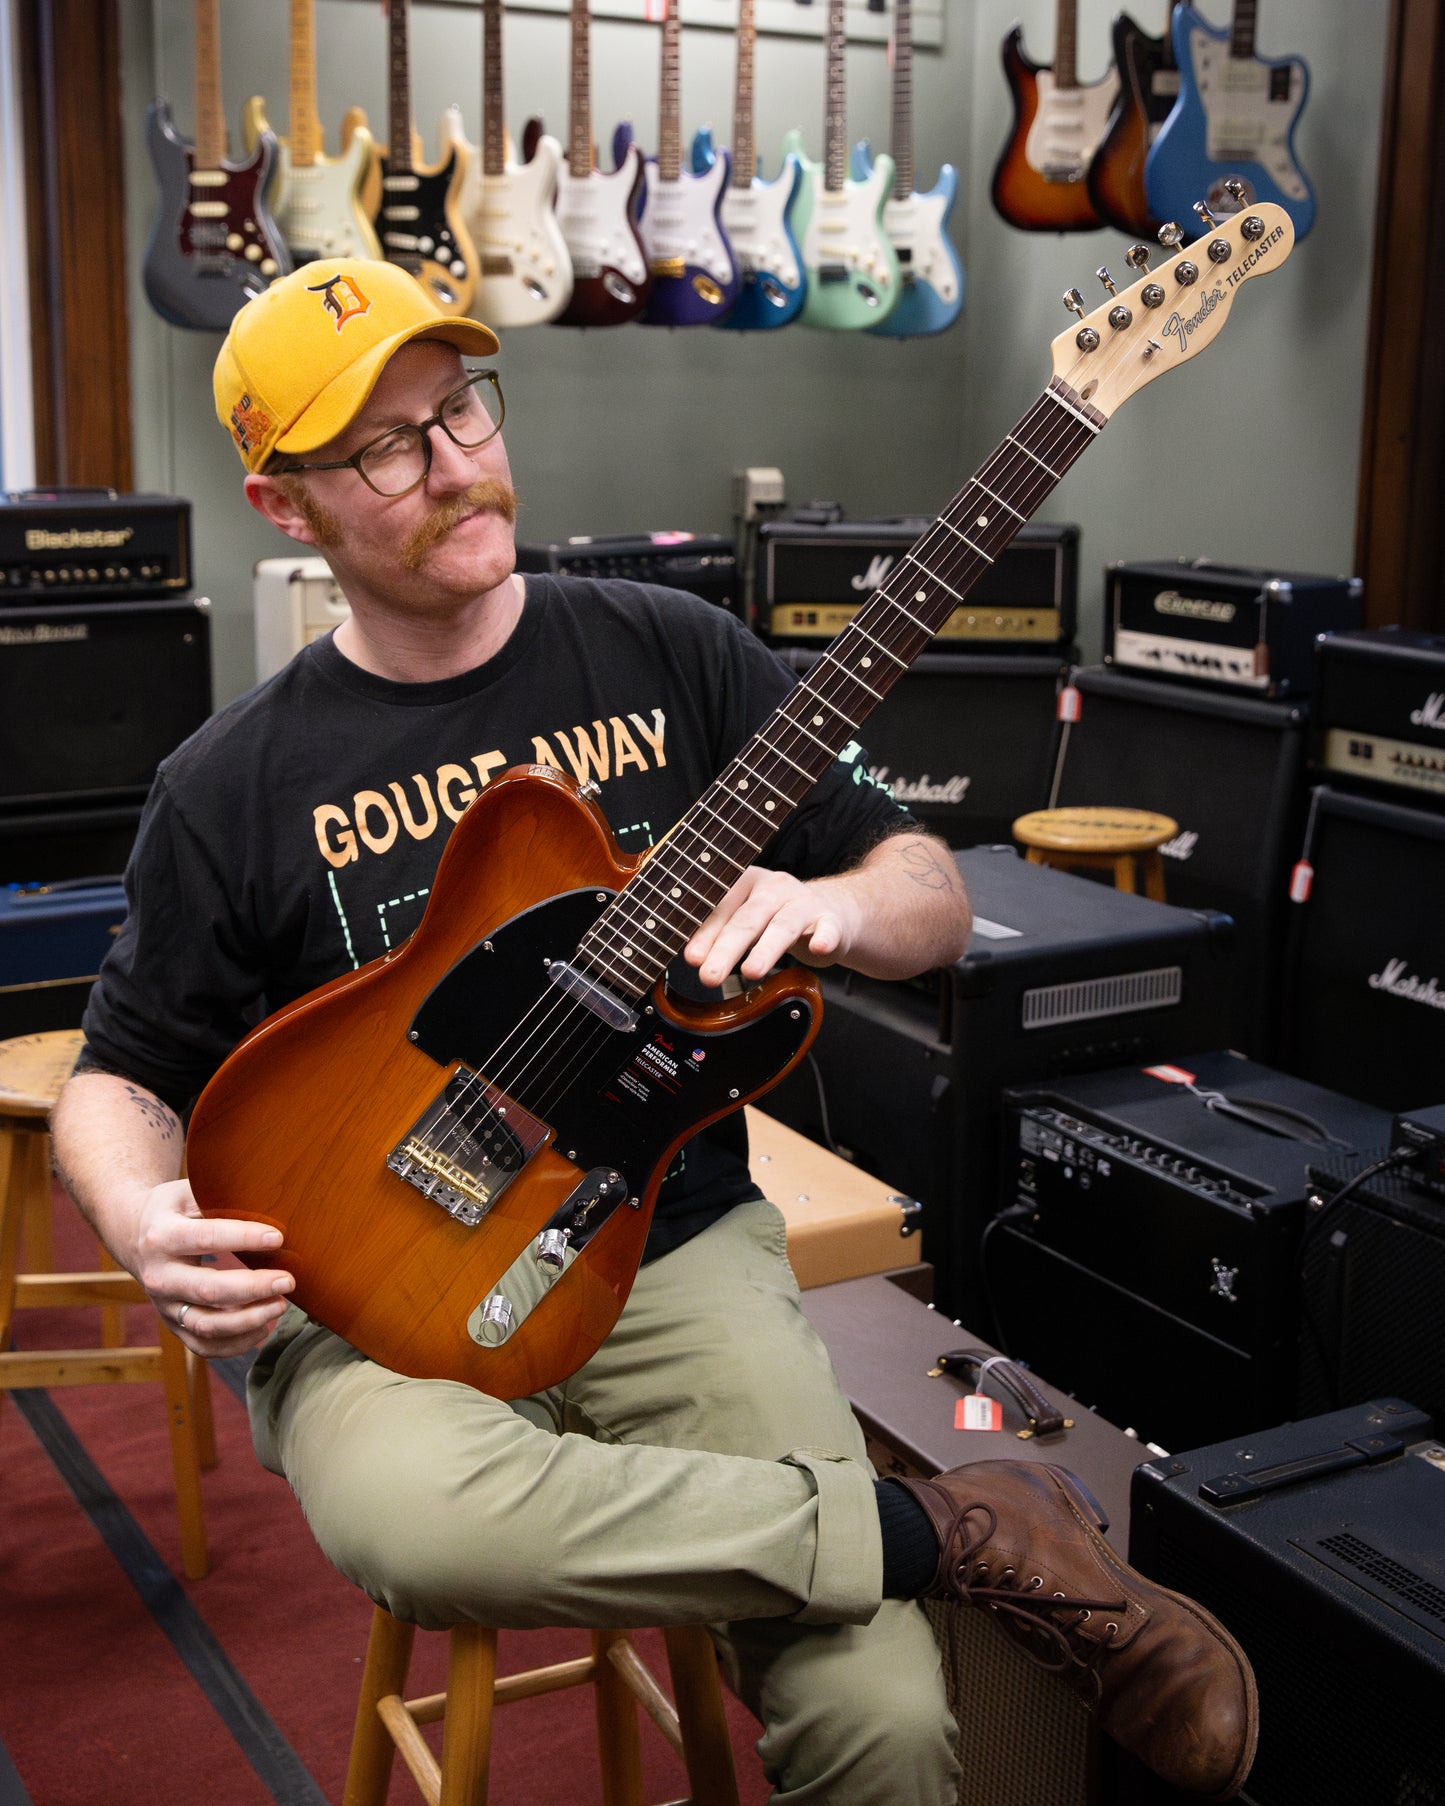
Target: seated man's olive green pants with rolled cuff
(704,1466)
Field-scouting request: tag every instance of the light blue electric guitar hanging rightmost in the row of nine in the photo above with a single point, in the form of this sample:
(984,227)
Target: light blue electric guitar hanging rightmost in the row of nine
(931,297)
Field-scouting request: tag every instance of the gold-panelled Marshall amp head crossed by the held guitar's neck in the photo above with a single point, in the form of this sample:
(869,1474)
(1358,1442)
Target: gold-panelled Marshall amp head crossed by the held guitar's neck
(814,579)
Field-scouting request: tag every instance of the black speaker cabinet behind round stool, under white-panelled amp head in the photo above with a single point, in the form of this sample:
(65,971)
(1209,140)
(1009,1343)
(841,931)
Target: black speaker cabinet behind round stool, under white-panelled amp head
(1231,772)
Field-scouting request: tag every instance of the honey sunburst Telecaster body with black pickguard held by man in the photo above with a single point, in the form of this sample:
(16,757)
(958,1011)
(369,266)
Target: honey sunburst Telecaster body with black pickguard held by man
(579,1108)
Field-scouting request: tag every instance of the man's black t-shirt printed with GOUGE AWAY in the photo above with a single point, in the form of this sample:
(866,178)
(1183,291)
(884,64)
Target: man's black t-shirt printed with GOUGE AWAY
(297,835)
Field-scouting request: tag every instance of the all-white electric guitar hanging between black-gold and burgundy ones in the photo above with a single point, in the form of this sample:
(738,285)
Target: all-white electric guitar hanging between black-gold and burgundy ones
(508,207)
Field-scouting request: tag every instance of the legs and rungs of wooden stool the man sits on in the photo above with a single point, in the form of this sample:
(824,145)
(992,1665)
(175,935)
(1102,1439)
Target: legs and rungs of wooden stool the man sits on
(386,1722)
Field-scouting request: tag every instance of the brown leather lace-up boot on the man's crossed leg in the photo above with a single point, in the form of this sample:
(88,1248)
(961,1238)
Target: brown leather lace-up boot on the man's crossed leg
(1171,1684)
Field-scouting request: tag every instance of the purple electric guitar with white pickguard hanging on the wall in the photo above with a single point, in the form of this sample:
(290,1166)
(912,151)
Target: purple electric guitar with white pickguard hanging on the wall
(695,272)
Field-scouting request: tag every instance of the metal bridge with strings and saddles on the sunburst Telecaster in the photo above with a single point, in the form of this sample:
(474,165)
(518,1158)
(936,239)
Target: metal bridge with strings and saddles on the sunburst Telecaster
(467,1148)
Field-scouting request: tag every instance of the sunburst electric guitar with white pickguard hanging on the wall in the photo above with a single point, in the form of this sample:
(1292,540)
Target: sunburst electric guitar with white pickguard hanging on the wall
(1041,178)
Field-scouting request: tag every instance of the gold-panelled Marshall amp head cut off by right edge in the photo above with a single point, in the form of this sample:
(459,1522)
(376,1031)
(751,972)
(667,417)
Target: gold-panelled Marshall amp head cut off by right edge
(1381,712)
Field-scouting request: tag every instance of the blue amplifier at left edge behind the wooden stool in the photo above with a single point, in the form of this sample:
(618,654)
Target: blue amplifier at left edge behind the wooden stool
(53,940)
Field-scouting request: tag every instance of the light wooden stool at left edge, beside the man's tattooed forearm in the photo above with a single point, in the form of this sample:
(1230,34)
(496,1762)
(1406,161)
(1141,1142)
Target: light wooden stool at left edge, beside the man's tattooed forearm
(33,1068)
